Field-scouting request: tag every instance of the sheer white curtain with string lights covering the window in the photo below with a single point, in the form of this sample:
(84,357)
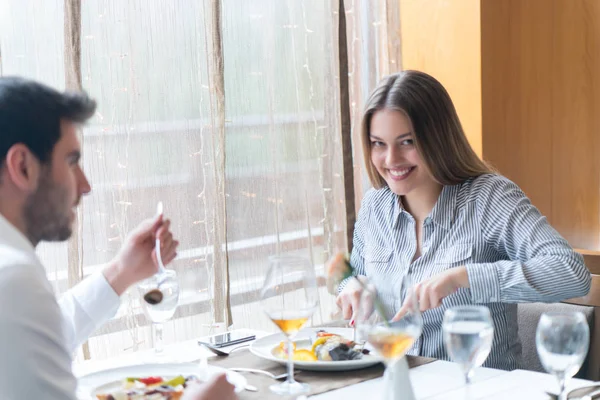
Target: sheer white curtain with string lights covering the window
(160,134)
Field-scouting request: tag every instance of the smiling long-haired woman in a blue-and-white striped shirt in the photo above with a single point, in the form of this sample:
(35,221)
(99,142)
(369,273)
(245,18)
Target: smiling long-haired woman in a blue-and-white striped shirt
(436,211)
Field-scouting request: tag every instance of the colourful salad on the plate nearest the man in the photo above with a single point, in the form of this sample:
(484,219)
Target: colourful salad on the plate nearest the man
(149,388)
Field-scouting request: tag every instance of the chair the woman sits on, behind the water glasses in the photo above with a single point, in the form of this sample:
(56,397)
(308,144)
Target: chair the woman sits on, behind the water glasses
(529,315)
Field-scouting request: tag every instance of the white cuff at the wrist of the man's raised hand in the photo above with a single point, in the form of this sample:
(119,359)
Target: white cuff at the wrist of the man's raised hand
(96,297)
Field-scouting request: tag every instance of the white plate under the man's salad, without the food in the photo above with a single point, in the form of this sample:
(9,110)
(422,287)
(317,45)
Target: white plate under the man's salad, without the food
(111,379)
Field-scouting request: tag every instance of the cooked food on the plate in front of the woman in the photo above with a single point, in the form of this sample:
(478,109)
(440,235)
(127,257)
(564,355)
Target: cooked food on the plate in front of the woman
(325,346)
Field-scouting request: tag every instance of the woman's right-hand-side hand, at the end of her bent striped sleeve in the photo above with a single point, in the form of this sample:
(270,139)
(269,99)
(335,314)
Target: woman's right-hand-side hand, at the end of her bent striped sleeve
(430,293)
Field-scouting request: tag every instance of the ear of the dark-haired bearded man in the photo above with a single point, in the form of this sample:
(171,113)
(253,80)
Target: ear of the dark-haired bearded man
(22,167)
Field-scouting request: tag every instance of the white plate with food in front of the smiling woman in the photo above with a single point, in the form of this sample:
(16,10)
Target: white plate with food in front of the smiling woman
(318,349)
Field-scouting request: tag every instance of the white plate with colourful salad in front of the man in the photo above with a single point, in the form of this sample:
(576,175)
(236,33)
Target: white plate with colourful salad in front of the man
(149,381)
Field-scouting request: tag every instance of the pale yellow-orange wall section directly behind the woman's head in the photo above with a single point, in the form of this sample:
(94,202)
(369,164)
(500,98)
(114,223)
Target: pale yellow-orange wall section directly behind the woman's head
(442,38)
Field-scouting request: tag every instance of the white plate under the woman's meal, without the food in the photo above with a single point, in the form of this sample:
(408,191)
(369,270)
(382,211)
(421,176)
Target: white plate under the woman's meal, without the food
(263,347)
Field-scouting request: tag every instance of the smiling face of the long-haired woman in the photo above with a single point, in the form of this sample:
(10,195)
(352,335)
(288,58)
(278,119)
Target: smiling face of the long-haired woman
(394,154)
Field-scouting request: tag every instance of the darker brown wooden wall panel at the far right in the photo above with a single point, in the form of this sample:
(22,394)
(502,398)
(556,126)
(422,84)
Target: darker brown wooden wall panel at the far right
(540,64)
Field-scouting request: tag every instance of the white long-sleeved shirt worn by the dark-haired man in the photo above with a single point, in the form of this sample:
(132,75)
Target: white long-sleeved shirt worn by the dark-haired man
(38,334)
